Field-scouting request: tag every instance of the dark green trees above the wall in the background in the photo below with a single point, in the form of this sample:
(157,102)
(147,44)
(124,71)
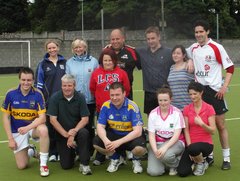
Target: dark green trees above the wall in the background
(56,15)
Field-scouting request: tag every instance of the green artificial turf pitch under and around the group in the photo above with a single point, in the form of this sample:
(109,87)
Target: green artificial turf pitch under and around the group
(9,172)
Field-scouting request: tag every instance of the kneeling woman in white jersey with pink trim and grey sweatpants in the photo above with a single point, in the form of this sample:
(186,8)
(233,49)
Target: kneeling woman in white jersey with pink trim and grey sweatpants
(165,125)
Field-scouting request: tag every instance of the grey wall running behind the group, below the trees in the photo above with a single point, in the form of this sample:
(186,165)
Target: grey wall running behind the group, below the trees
(15,54)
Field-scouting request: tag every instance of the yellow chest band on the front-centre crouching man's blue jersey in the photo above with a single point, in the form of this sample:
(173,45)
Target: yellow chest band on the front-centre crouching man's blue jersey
(119,125)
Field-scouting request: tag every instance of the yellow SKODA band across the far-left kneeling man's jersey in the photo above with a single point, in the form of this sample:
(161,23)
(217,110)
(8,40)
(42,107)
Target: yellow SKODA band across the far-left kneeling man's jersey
(24,114)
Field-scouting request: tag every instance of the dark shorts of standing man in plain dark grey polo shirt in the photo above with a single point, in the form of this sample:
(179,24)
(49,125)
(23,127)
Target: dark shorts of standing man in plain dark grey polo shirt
(150,102)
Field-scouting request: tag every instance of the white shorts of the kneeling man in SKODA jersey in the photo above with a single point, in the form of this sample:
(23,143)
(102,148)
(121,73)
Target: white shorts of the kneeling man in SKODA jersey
(22,140)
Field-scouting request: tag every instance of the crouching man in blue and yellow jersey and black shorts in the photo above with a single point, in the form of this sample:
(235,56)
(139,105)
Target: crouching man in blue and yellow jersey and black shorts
(120,128)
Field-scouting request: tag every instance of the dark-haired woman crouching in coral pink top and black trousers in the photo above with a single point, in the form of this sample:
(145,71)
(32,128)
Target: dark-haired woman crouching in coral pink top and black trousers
(200,125)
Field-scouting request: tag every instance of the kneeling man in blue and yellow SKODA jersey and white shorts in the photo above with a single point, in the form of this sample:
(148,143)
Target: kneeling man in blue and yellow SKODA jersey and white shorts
(24,117)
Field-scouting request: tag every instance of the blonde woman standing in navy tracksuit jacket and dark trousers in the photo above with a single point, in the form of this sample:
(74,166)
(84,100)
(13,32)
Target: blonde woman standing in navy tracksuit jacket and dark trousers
(48,79)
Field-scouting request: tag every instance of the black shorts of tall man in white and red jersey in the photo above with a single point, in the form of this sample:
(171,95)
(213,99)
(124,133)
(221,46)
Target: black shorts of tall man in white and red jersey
(219,106)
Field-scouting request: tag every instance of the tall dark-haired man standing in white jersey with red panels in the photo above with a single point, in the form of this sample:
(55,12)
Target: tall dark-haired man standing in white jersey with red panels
(209,58)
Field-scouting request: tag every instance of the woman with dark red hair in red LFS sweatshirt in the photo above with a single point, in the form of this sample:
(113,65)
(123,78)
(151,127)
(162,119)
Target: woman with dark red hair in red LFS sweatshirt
(107,73)
